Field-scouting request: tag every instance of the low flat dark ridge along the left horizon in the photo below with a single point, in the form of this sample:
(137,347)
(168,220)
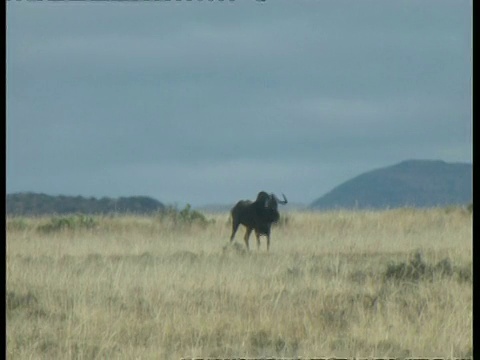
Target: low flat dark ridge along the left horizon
(28,204)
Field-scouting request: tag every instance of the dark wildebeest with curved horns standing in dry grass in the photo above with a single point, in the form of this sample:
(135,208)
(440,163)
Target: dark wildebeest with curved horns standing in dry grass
(257,215)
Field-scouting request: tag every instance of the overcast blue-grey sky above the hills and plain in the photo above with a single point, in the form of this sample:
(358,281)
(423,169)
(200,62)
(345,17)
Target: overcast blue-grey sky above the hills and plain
(212,101)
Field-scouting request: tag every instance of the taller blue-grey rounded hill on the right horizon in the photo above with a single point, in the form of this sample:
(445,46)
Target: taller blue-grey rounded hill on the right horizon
(417,183)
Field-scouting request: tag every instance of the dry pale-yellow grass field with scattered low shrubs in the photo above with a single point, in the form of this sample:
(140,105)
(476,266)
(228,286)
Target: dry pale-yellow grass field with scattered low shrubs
(394,283)
